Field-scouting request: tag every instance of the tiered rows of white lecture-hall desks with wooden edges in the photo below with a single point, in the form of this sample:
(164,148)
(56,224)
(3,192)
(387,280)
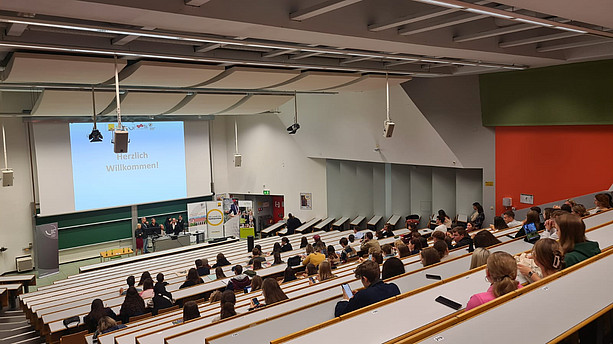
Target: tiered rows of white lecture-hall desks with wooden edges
(308,313)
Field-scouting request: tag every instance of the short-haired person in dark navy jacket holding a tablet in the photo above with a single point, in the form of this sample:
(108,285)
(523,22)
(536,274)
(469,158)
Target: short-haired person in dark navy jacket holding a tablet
(374,289)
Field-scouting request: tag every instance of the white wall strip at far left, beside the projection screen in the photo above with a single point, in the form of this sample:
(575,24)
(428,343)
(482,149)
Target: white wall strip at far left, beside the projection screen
(15,201)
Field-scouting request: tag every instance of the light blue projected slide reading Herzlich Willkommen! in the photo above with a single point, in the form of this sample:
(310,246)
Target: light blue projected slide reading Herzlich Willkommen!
(152,170)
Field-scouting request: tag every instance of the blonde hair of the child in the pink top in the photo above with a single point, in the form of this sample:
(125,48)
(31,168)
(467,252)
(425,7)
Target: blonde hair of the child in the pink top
(502,269)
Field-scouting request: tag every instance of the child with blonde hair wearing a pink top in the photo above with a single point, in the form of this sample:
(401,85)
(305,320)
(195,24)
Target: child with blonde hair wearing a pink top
(501,272)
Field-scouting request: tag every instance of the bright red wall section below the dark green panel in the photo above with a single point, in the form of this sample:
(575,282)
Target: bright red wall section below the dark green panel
(552,162)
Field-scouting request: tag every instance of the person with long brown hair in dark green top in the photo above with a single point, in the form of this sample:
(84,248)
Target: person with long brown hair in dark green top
(575,246)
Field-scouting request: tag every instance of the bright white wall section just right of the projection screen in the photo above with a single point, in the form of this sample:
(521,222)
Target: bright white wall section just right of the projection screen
(271,160)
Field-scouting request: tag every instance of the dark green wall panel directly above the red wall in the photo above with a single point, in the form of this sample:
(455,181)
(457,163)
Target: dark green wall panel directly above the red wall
(573,94)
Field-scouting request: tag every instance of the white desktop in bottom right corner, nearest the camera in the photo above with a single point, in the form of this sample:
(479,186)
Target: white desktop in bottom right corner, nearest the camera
(541,307)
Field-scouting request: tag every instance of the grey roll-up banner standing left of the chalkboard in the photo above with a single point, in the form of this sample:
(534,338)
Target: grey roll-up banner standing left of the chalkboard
(47,253)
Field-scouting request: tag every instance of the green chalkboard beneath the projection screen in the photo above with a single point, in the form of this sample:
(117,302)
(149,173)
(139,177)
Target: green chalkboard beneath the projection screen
(91,227)
